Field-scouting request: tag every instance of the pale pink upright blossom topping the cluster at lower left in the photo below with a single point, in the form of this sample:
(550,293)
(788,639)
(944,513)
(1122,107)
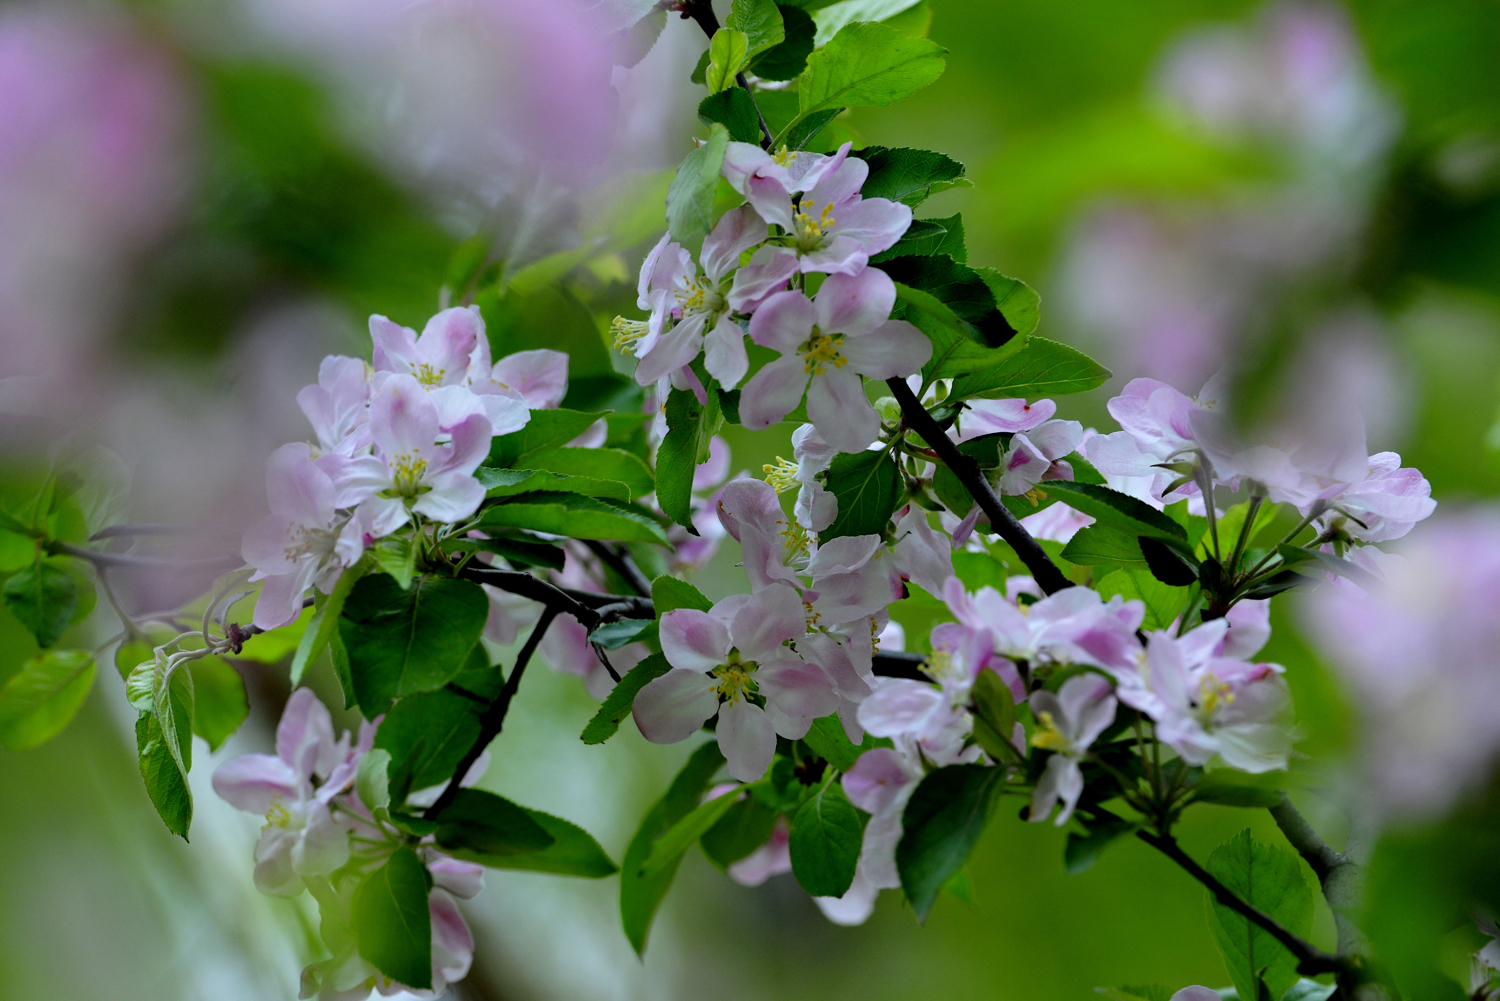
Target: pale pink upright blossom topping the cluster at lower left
(301,837)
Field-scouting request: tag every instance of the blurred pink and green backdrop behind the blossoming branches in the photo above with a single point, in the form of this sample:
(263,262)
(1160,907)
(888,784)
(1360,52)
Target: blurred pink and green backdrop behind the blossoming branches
(199,199)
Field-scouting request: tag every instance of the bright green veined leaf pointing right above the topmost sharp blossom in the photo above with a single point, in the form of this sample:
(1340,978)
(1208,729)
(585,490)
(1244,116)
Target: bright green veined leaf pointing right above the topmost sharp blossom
(866,64)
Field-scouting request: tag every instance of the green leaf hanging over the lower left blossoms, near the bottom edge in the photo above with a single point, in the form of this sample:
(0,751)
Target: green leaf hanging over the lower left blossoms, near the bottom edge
(392,924)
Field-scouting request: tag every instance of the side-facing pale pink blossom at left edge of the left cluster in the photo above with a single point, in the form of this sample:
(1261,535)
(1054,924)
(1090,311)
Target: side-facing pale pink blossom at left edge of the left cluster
(304,543)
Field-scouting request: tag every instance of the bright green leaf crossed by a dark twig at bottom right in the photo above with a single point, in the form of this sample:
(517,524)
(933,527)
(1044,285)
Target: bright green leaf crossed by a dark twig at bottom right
(1268,879)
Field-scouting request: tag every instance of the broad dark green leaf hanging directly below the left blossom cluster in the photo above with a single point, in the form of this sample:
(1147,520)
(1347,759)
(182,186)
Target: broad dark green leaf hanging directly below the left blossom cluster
(401,643)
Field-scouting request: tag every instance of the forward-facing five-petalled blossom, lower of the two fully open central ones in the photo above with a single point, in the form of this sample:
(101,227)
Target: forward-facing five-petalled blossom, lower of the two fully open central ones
(733,652)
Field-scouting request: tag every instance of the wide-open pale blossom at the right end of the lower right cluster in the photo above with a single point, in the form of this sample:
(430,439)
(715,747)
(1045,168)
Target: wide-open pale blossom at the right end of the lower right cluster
(1205,705)
